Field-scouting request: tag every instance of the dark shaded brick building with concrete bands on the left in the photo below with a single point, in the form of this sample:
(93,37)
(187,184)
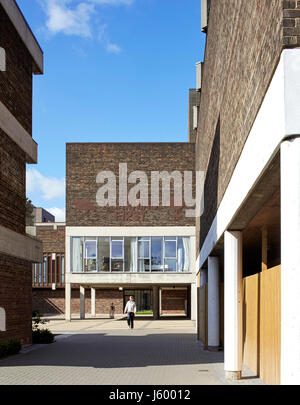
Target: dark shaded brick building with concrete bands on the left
(21,57)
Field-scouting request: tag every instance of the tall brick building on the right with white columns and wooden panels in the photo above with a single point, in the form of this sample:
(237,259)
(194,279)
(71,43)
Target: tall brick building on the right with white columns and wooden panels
(248,145)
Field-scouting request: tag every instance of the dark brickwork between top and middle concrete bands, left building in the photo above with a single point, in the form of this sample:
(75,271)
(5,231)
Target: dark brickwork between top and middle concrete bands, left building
(16,82)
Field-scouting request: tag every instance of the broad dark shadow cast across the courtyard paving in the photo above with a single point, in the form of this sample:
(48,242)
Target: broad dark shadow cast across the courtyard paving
(107,351)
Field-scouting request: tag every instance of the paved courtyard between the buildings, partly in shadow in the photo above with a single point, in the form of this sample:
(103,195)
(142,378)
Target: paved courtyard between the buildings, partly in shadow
(104,351)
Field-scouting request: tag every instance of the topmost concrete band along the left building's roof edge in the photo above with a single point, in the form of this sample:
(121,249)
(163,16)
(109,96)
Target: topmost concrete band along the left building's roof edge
(23,29)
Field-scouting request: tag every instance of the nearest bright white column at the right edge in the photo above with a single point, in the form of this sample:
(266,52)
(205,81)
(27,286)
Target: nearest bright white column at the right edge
(290,262)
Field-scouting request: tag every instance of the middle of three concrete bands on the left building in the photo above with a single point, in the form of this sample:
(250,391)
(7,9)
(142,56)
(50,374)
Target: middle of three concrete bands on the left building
(11,126)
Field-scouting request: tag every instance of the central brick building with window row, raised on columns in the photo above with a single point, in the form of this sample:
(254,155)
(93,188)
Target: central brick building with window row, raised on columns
(115,251)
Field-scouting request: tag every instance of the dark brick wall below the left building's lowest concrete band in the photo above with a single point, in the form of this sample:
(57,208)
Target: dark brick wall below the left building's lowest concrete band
(15,298)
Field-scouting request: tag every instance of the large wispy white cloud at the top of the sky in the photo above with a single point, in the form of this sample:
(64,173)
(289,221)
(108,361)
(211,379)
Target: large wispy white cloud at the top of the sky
(70,21)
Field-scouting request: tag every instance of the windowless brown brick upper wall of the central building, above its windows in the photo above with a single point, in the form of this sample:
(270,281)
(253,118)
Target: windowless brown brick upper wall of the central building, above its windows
(85,161)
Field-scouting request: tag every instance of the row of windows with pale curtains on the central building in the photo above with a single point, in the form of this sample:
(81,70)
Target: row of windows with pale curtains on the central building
(130,254)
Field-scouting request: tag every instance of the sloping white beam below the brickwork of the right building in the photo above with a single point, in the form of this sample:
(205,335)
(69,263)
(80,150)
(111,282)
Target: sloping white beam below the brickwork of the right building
(277,119)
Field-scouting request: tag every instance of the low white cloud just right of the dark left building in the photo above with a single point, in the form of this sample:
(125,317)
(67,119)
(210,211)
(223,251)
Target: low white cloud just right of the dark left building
(49,187)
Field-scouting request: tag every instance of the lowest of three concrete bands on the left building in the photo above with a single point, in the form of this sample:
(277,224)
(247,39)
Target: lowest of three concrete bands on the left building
(21,246)
